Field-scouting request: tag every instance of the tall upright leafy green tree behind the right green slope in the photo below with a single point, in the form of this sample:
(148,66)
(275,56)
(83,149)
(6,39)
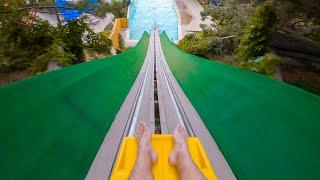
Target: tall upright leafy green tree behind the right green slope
(256,35)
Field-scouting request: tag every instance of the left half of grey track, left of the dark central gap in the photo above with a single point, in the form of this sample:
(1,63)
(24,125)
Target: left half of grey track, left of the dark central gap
(137,107)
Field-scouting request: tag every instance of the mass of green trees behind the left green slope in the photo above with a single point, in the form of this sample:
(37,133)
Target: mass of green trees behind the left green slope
(29,43)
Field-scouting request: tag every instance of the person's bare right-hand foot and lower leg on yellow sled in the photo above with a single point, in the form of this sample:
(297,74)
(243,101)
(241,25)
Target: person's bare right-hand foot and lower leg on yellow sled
(180,156)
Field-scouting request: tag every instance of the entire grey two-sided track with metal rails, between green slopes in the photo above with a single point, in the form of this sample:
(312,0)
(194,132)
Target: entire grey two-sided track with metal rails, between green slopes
(155,89)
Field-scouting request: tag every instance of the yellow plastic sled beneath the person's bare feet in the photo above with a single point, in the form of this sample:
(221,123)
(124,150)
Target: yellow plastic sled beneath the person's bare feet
(162,170)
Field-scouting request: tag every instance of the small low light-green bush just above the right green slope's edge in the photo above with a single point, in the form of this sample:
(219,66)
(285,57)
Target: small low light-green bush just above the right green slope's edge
(264,65)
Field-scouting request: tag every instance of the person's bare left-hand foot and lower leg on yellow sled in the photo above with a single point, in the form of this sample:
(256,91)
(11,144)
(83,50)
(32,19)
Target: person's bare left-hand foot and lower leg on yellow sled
(146,155)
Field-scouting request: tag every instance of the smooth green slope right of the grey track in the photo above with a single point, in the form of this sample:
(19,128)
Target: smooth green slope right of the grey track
(266,129)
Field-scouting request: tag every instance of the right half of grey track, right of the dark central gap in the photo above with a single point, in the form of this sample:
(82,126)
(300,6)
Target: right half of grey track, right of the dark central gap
(176,108)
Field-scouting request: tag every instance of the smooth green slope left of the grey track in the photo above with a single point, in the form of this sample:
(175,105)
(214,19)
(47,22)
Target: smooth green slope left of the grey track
(52,125)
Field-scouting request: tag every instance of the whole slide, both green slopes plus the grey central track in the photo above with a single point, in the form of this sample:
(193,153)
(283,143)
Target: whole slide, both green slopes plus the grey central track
(67,124)
